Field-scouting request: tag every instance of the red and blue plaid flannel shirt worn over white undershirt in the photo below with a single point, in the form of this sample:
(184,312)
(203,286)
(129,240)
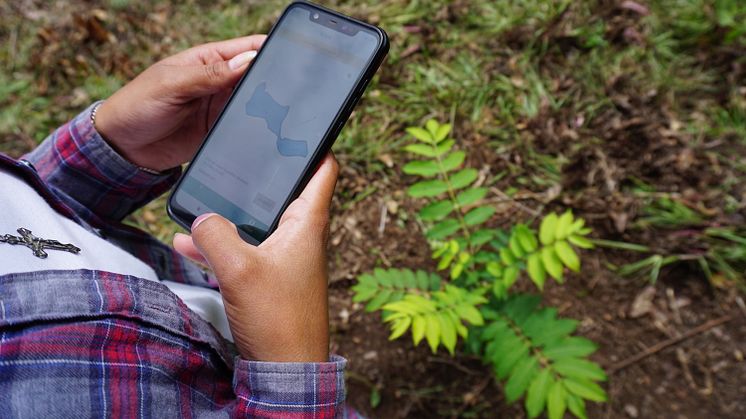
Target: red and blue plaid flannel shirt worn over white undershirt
(96,344)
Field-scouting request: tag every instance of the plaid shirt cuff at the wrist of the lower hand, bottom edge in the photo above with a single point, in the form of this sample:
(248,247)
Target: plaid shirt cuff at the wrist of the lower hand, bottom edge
(297,390)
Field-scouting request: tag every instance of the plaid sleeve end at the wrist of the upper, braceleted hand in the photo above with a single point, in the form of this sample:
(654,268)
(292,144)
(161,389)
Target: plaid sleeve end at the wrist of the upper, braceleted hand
(80,167)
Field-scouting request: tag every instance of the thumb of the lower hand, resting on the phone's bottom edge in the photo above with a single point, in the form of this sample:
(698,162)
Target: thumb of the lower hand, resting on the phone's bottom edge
(218,241)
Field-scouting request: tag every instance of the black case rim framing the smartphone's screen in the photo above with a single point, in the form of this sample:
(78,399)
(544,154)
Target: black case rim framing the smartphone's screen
(185,219)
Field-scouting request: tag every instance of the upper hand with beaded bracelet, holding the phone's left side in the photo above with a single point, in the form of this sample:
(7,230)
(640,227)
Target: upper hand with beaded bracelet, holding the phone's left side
(159,119)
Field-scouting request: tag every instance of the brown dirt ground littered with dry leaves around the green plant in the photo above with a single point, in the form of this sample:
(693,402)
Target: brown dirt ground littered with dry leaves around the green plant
(673,349)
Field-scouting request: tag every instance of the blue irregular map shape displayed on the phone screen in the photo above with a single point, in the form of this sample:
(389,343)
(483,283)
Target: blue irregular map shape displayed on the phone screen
(263,105)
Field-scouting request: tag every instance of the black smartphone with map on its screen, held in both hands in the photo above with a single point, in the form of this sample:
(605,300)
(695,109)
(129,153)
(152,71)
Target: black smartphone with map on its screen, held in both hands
(282,118)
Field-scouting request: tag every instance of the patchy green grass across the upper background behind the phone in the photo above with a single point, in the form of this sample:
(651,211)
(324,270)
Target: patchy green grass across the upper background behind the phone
(499,70)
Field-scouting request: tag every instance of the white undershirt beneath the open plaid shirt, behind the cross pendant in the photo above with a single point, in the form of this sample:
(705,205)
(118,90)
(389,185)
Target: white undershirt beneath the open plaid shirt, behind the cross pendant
(22,206)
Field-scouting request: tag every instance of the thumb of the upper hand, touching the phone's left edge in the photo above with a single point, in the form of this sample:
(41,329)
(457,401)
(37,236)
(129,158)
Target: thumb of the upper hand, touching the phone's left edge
(203,80)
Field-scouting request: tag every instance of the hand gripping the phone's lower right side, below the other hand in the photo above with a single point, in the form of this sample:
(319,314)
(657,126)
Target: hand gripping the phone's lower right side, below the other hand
(275,294)
